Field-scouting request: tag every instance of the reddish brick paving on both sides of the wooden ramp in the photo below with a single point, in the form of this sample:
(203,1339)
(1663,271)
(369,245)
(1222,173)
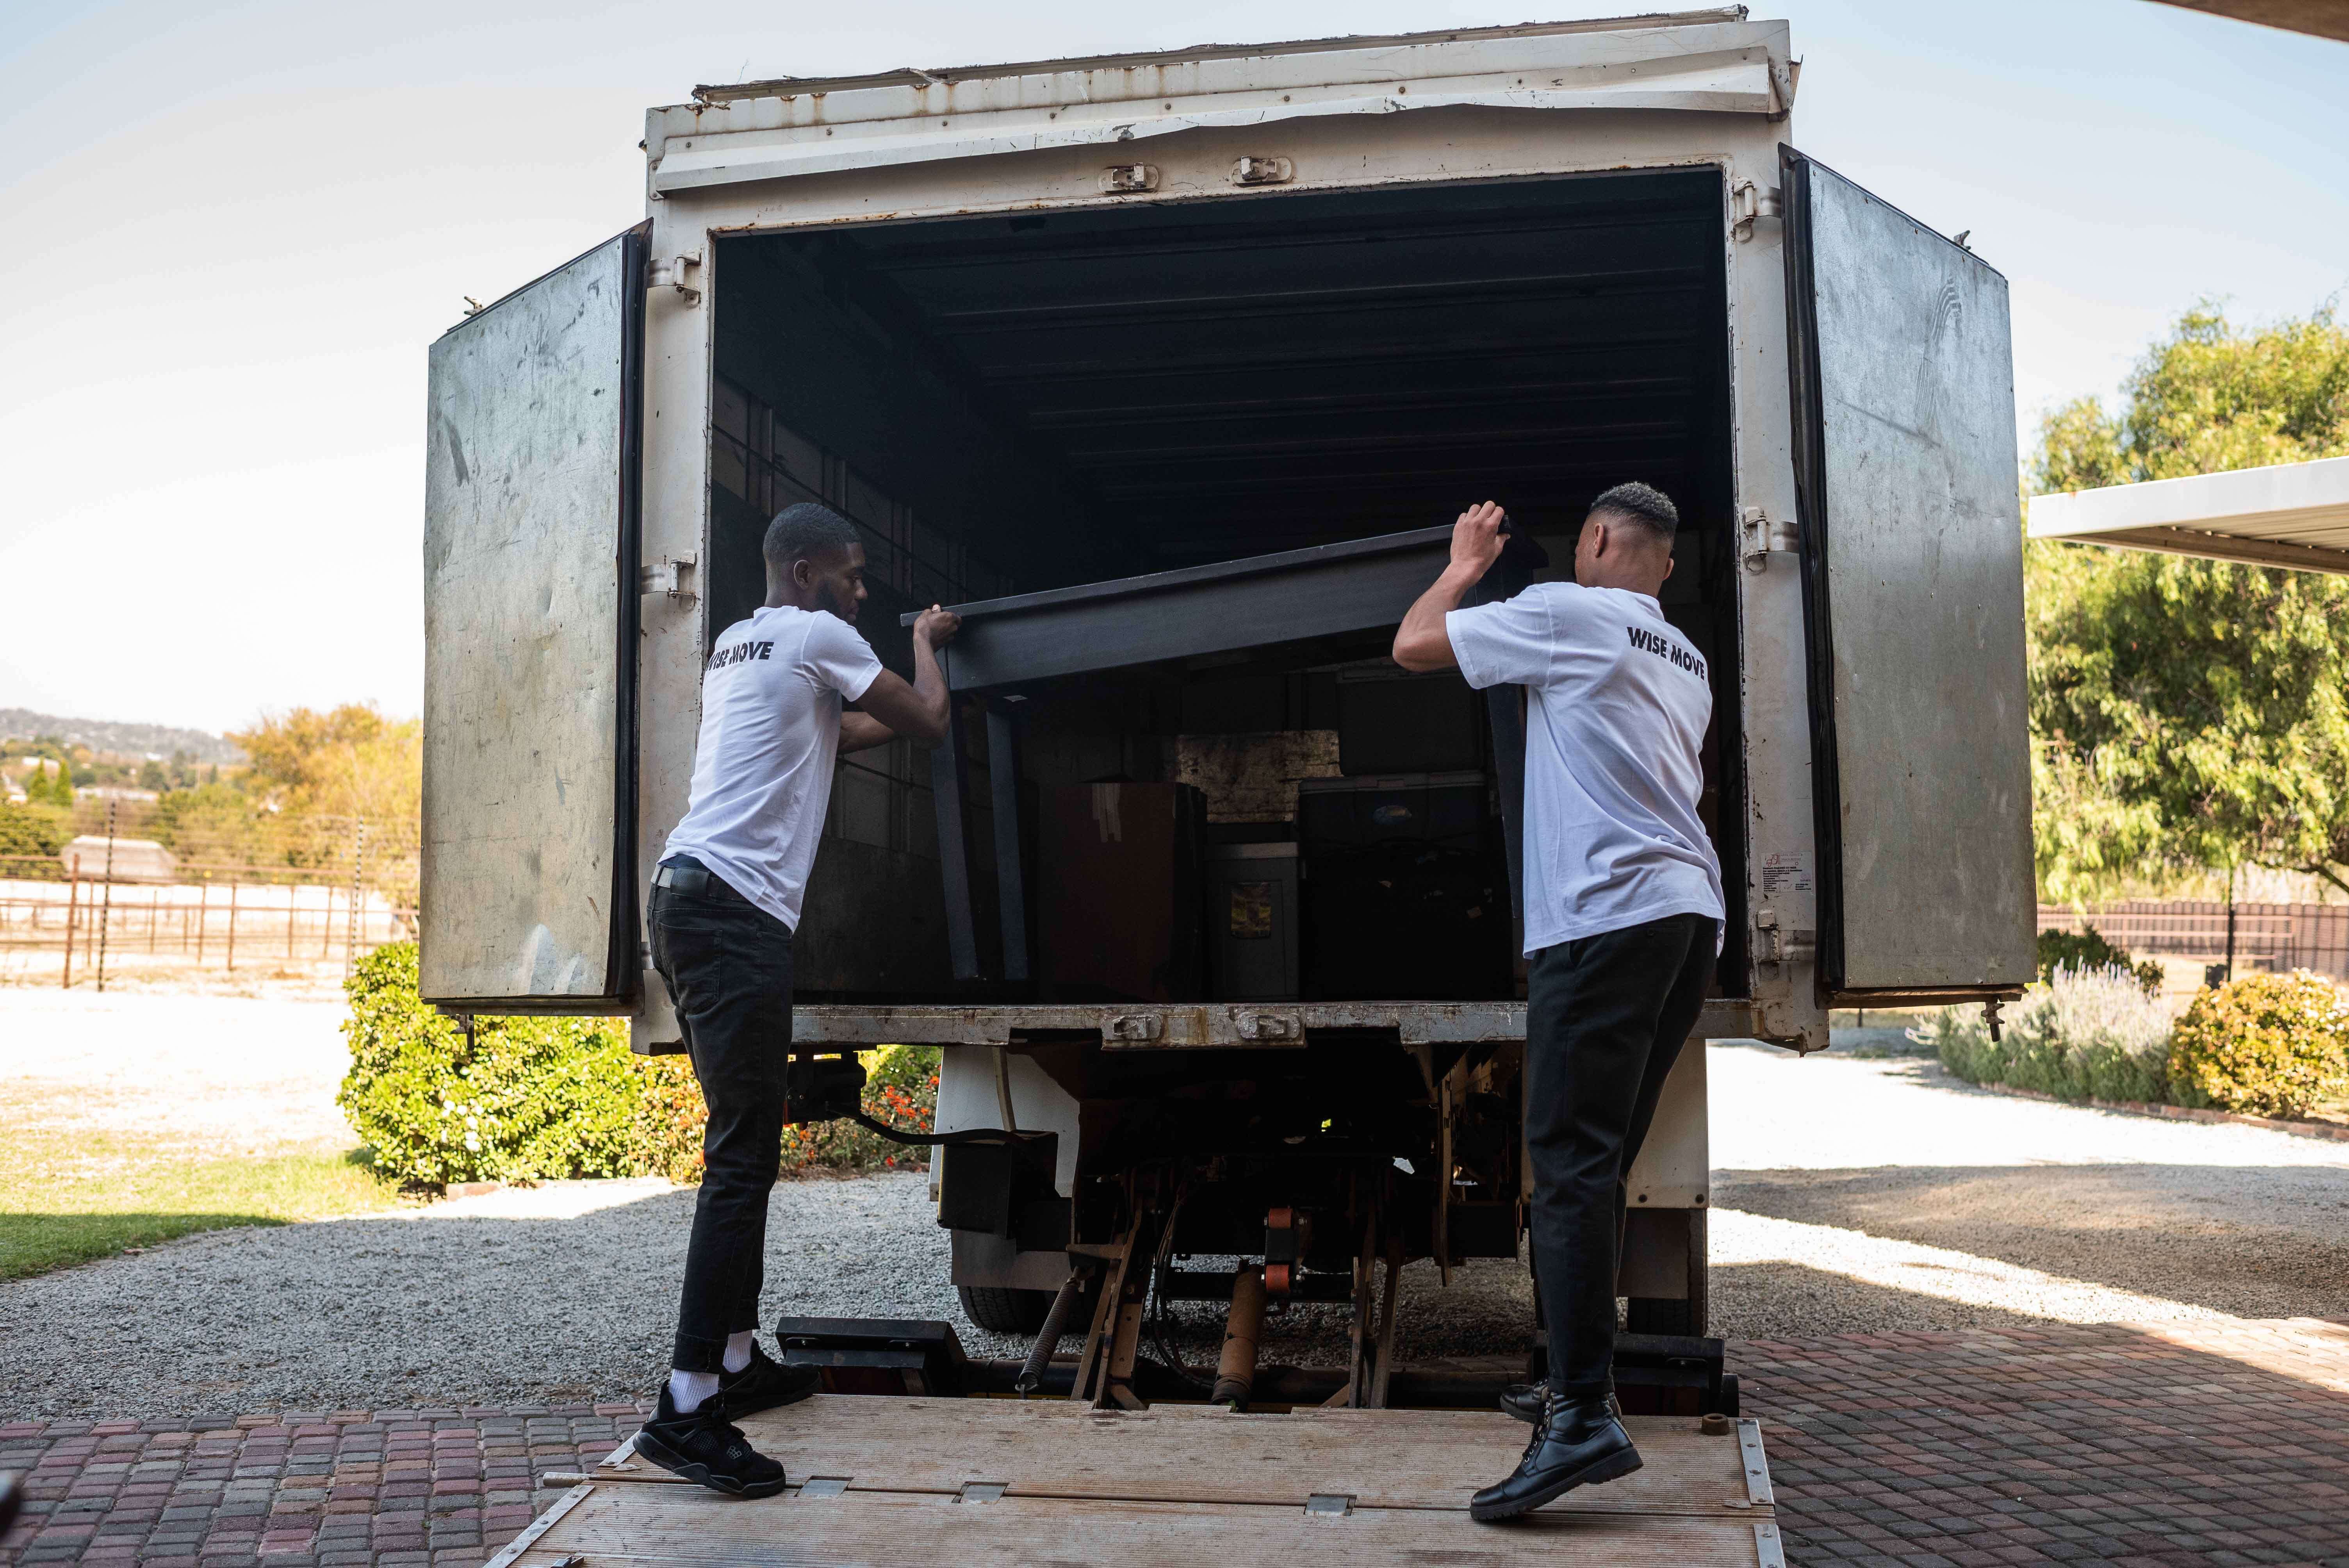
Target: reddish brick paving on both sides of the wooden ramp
(2151,1447)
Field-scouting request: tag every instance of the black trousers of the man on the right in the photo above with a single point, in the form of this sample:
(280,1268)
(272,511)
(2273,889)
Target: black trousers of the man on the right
(1603,1025)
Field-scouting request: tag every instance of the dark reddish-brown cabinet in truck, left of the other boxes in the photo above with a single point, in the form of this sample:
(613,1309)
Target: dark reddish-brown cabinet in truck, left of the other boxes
(1119,893)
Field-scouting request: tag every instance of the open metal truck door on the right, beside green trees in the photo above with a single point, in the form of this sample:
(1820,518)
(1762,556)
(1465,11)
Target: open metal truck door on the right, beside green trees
(1913,597)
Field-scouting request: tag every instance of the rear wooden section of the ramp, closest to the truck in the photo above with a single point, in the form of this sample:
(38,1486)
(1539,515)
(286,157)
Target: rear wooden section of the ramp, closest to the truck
(1197,1454)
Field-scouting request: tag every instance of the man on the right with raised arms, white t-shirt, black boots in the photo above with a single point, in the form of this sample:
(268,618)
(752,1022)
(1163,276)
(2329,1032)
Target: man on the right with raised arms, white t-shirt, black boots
(1622,919)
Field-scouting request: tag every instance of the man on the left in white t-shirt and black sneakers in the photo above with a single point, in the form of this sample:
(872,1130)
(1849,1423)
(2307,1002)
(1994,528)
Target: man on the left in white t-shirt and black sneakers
(725,910)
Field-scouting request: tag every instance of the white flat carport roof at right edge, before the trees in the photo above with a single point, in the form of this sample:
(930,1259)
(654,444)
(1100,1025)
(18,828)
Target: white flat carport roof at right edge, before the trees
(2287,515)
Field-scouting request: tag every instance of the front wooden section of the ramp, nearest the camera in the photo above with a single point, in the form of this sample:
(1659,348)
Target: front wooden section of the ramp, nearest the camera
(678,1525)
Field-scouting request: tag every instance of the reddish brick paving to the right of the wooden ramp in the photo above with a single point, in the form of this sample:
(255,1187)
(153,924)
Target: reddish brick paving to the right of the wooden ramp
(2160,1447)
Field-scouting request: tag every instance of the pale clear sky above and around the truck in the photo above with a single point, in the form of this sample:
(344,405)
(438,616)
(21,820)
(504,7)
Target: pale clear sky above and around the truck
(234,229)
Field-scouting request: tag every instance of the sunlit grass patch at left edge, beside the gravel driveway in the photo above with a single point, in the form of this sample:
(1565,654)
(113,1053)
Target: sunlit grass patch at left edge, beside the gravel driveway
(76,1196)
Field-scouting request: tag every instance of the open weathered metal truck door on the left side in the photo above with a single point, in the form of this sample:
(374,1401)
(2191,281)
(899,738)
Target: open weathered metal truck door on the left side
(532,485)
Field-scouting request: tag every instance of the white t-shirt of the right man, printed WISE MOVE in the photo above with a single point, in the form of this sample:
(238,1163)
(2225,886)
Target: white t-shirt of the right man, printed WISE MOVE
(1615,726)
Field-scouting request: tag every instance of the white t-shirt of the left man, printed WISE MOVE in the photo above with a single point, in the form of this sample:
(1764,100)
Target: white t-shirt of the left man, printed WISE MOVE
(772,731)
